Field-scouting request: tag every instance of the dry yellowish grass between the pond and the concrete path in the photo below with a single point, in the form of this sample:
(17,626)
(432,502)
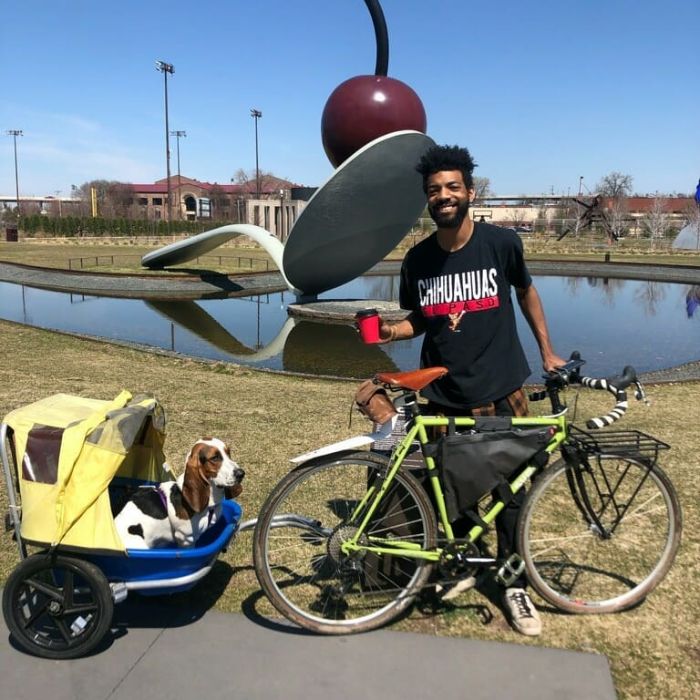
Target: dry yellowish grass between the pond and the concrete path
(654,649)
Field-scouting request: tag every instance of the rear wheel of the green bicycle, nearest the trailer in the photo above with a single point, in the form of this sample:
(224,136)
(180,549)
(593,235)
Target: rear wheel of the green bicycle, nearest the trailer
(300,566)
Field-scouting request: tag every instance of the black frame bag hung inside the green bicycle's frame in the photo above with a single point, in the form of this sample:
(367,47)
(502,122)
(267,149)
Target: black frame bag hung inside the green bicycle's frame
(473,464)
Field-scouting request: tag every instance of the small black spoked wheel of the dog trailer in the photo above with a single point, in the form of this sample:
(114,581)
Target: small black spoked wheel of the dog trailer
(57,607)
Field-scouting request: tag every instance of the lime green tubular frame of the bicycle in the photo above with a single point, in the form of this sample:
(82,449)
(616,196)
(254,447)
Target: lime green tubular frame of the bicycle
(418,431)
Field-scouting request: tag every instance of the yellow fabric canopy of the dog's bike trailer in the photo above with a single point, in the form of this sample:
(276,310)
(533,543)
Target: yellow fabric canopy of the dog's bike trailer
(68,449)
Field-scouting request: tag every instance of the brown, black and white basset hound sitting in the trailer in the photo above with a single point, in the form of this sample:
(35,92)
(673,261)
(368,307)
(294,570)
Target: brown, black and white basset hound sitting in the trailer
(179,512)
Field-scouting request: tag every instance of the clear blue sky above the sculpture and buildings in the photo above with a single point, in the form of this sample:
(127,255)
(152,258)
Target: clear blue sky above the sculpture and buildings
(541,92)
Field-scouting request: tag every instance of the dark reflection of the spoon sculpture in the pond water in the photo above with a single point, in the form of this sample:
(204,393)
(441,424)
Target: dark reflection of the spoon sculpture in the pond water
(298,343)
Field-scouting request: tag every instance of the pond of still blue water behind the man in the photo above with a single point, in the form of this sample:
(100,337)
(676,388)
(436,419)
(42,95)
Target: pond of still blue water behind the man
(612,322)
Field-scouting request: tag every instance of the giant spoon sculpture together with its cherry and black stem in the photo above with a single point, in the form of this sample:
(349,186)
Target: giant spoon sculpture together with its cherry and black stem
(373,131)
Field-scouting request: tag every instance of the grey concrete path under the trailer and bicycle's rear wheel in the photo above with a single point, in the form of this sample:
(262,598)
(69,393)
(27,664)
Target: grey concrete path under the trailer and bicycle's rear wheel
(164,651)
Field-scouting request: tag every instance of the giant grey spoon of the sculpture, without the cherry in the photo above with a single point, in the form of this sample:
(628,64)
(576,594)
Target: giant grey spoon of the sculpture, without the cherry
(353,221)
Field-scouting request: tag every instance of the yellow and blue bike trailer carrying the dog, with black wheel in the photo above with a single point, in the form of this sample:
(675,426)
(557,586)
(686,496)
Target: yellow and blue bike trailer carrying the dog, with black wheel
(75,460)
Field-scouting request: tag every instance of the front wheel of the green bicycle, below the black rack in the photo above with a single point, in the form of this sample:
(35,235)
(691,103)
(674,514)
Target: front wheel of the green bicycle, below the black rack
(577,567)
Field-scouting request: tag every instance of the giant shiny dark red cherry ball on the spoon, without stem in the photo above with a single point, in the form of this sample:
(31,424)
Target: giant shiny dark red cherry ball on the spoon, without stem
(364,108)
